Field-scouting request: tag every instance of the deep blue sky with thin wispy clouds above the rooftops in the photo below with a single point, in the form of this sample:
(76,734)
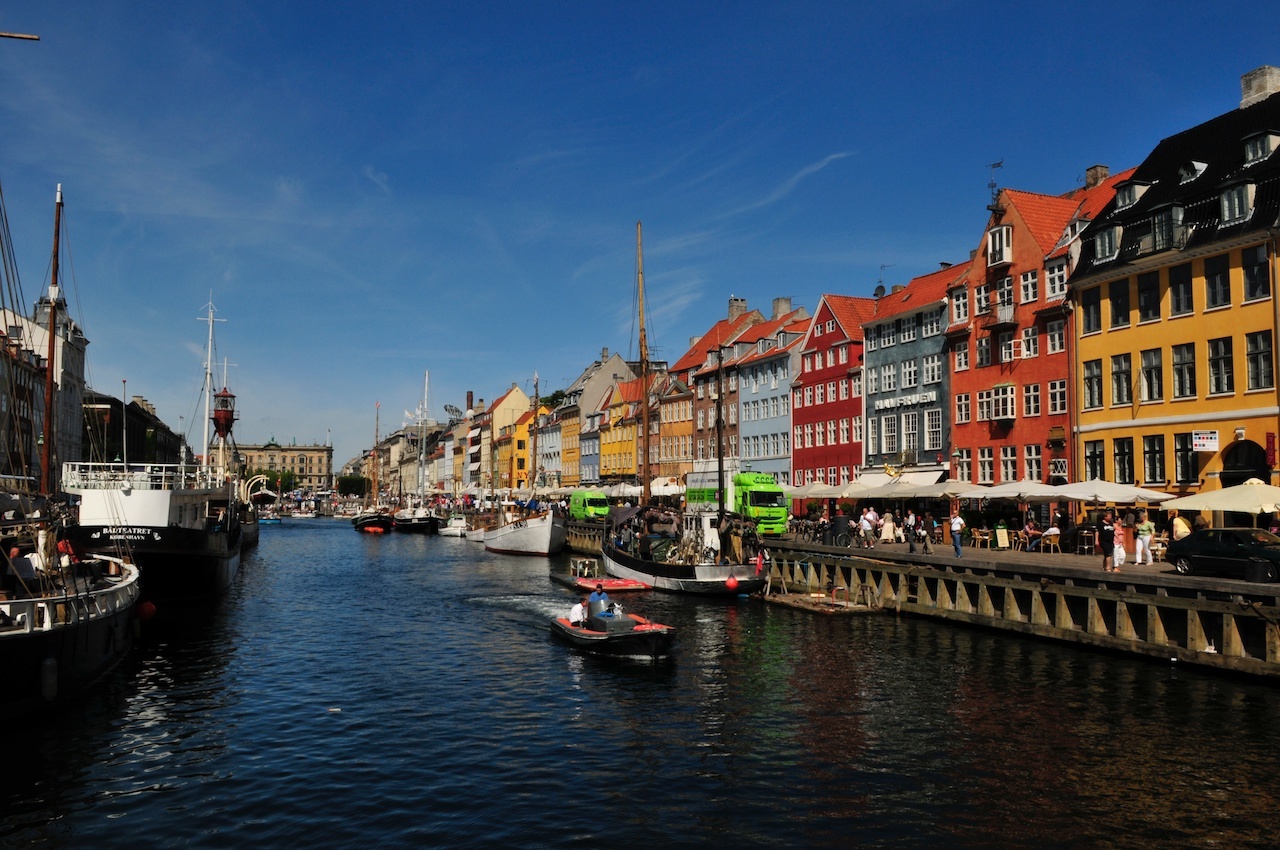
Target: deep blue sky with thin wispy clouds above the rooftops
(373,190)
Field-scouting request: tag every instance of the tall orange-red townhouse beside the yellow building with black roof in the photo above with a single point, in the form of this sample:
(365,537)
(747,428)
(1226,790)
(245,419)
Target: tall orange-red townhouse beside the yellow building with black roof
(1008,337)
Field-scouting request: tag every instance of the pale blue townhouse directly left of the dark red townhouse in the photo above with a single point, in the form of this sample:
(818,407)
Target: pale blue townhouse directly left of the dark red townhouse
(764,364)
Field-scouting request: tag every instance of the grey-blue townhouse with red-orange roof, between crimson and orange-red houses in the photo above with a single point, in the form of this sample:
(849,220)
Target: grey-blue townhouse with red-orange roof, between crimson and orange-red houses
(906,382)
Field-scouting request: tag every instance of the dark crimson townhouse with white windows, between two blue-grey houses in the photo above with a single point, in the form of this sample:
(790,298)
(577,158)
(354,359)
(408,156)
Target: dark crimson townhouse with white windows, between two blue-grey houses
(826,396)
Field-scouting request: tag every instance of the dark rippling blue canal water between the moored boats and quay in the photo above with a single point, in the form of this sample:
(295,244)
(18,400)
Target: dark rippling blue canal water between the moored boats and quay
(405,692)
